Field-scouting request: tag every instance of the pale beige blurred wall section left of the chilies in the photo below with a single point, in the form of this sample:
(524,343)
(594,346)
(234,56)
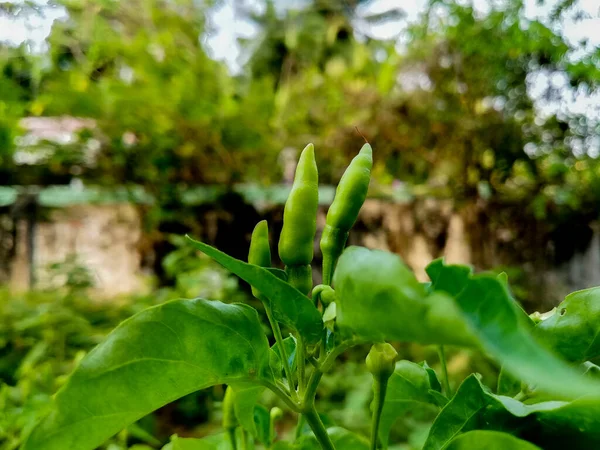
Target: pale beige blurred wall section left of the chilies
(103,239)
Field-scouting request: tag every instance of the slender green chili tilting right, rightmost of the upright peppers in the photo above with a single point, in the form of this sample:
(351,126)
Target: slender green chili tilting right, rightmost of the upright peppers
(343,212)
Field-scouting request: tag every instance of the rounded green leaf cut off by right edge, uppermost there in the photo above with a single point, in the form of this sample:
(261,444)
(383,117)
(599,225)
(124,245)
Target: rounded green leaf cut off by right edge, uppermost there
(574,328)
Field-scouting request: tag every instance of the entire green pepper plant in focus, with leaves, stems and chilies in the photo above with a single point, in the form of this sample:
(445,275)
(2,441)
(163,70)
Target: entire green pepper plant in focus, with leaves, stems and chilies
(547,396)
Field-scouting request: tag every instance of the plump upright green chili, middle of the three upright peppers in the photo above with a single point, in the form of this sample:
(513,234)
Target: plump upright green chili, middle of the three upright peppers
(300,222)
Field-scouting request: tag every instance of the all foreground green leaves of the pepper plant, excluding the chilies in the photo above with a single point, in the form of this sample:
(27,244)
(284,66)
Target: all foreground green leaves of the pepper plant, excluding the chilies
(548,395)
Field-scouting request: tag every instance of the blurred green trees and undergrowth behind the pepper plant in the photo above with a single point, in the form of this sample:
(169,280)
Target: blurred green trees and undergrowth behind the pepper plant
(470,102)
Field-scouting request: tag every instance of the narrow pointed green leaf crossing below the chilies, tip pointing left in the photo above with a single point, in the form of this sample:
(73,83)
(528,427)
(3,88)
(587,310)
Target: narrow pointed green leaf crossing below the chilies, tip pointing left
(289,306)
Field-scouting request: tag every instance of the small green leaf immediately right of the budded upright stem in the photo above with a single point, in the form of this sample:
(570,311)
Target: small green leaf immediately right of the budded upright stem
(408,390)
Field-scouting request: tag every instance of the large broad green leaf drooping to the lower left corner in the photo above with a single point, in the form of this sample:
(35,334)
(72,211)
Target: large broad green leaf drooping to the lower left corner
(151,359)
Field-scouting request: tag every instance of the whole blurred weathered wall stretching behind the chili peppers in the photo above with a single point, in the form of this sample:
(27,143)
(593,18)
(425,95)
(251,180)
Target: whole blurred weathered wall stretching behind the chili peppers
(105,240)
